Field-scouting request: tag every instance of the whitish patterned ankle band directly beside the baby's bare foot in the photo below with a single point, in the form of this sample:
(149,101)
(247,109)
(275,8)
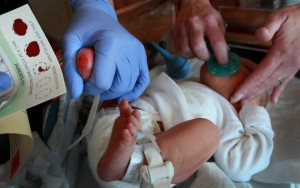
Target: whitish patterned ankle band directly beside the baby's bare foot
(136,161)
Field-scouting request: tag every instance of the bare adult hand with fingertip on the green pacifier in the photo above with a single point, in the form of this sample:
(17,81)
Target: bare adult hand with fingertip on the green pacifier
(196,20)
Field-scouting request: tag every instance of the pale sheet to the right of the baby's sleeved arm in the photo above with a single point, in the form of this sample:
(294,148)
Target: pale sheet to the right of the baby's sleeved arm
(285,117)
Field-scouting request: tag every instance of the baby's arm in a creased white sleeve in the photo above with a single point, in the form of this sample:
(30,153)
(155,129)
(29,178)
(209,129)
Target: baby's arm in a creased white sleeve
(246,150)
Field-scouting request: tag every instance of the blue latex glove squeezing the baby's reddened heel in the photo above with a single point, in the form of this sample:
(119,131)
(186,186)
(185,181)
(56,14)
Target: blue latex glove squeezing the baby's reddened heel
(120,68)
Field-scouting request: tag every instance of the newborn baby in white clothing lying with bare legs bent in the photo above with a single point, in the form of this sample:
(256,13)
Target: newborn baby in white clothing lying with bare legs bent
(190,122)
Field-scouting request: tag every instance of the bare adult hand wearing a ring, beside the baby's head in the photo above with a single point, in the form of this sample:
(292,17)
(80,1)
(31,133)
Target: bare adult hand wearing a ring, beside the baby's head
(282,61)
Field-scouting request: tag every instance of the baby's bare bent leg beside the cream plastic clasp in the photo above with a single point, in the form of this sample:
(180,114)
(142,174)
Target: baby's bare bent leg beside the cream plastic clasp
(188,146)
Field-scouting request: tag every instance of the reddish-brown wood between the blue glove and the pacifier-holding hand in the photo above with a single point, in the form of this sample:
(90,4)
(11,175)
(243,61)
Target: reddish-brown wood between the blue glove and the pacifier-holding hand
(148,20)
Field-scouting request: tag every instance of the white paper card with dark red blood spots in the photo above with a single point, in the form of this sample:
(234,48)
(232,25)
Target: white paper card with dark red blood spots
(27,57)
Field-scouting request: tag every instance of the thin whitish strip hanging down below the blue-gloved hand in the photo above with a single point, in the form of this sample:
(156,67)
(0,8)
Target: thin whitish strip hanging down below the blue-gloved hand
(90,121)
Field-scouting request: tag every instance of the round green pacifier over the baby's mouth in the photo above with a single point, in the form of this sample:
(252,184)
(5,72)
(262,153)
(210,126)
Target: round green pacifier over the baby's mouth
(233,65)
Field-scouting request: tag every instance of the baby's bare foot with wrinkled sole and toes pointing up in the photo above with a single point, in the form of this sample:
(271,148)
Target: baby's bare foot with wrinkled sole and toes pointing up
(114,162)
